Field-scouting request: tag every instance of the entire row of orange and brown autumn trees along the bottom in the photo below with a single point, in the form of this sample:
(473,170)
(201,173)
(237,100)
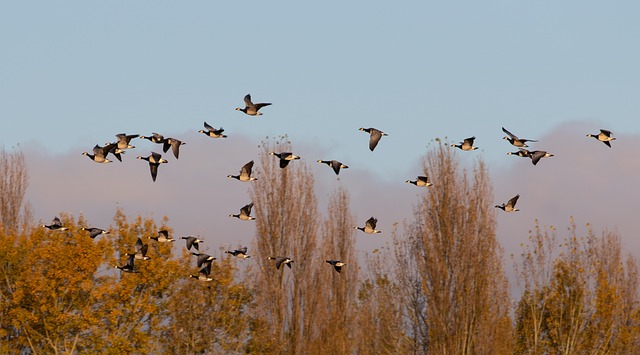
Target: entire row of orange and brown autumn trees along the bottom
(439,287)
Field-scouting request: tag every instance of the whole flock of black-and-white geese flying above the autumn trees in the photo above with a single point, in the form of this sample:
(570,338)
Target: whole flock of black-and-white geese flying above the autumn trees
(203,261)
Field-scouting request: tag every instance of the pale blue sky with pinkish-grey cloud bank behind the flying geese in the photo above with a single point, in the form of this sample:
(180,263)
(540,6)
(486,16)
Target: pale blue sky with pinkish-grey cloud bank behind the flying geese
(75,73)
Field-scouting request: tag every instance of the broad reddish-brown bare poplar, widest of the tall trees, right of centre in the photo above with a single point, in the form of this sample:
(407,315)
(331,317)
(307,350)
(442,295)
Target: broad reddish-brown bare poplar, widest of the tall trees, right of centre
(449,263)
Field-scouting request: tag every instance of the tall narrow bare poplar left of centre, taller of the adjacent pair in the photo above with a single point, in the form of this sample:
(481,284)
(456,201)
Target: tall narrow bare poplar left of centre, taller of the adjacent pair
(286,225)
